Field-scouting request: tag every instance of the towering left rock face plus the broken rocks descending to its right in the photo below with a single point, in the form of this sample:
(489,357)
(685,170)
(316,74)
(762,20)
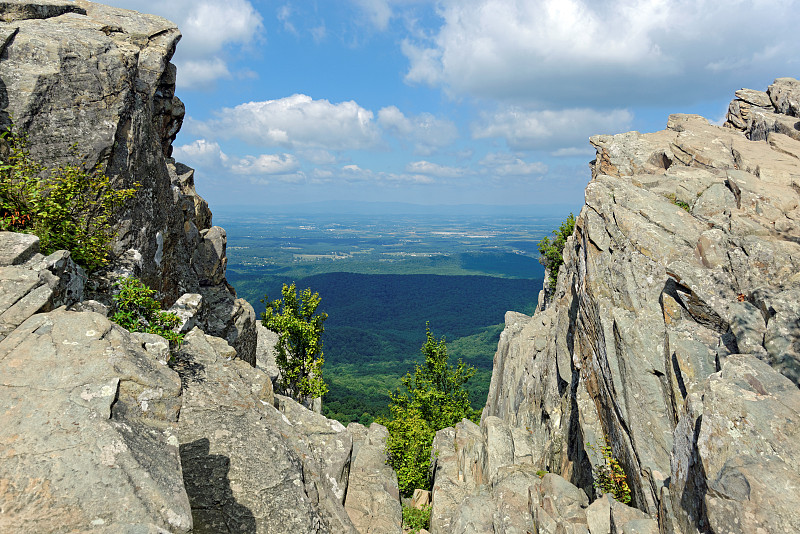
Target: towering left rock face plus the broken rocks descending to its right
(100,79)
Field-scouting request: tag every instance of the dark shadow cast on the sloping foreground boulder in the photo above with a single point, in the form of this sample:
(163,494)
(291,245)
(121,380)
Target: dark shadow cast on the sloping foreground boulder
(214,509)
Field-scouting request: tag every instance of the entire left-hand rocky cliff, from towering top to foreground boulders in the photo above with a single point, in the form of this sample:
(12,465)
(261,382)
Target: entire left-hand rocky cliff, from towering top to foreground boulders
(100,429)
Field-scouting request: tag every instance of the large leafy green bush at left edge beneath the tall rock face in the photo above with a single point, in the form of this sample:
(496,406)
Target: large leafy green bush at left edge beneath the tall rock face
(68,207)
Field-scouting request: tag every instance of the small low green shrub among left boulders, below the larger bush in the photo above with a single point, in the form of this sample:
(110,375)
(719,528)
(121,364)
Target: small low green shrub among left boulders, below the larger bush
(136,310)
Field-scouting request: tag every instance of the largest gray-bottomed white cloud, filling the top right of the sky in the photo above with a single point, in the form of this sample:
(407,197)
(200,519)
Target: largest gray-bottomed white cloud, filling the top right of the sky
(607,51)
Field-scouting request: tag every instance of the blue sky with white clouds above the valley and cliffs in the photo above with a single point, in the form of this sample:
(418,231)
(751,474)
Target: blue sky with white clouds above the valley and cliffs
(448,101)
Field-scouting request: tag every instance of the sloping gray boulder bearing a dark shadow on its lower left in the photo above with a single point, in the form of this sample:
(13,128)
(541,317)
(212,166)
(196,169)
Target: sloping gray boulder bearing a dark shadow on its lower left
(245,466)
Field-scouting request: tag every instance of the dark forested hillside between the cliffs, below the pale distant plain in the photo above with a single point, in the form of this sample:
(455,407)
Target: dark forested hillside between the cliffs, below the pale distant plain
(376,327)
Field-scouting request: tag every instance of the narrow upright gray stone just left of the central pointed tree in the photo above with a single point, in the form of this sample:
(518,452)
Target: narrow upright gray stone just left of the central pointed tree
(373,494)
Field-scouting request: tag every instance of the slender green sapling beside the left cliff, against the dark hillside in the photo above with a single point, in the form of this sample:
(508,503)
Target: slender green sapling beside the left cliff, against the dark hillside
(299,346)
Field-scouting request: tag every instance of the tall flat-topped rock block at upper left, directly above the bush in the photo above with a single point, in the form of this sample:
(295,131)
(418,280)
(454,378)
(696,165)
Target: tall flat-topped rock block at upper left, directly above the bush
(100,77)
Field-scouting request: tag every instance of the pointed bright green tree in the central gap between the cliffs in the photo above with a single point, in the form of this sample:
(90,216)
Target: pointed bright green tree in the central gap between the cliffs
(429,400)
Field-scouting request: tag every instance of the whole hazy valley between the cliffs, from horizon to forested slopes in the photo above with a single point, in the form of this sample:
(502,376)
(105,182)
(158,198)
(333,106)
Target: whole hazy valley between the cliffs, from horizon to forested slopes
(382,277)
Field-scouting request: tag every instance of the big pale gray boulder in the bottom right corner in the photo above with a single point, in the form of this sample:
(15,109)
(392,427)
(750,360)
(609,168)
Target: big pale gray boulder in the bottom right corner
(738,451)
